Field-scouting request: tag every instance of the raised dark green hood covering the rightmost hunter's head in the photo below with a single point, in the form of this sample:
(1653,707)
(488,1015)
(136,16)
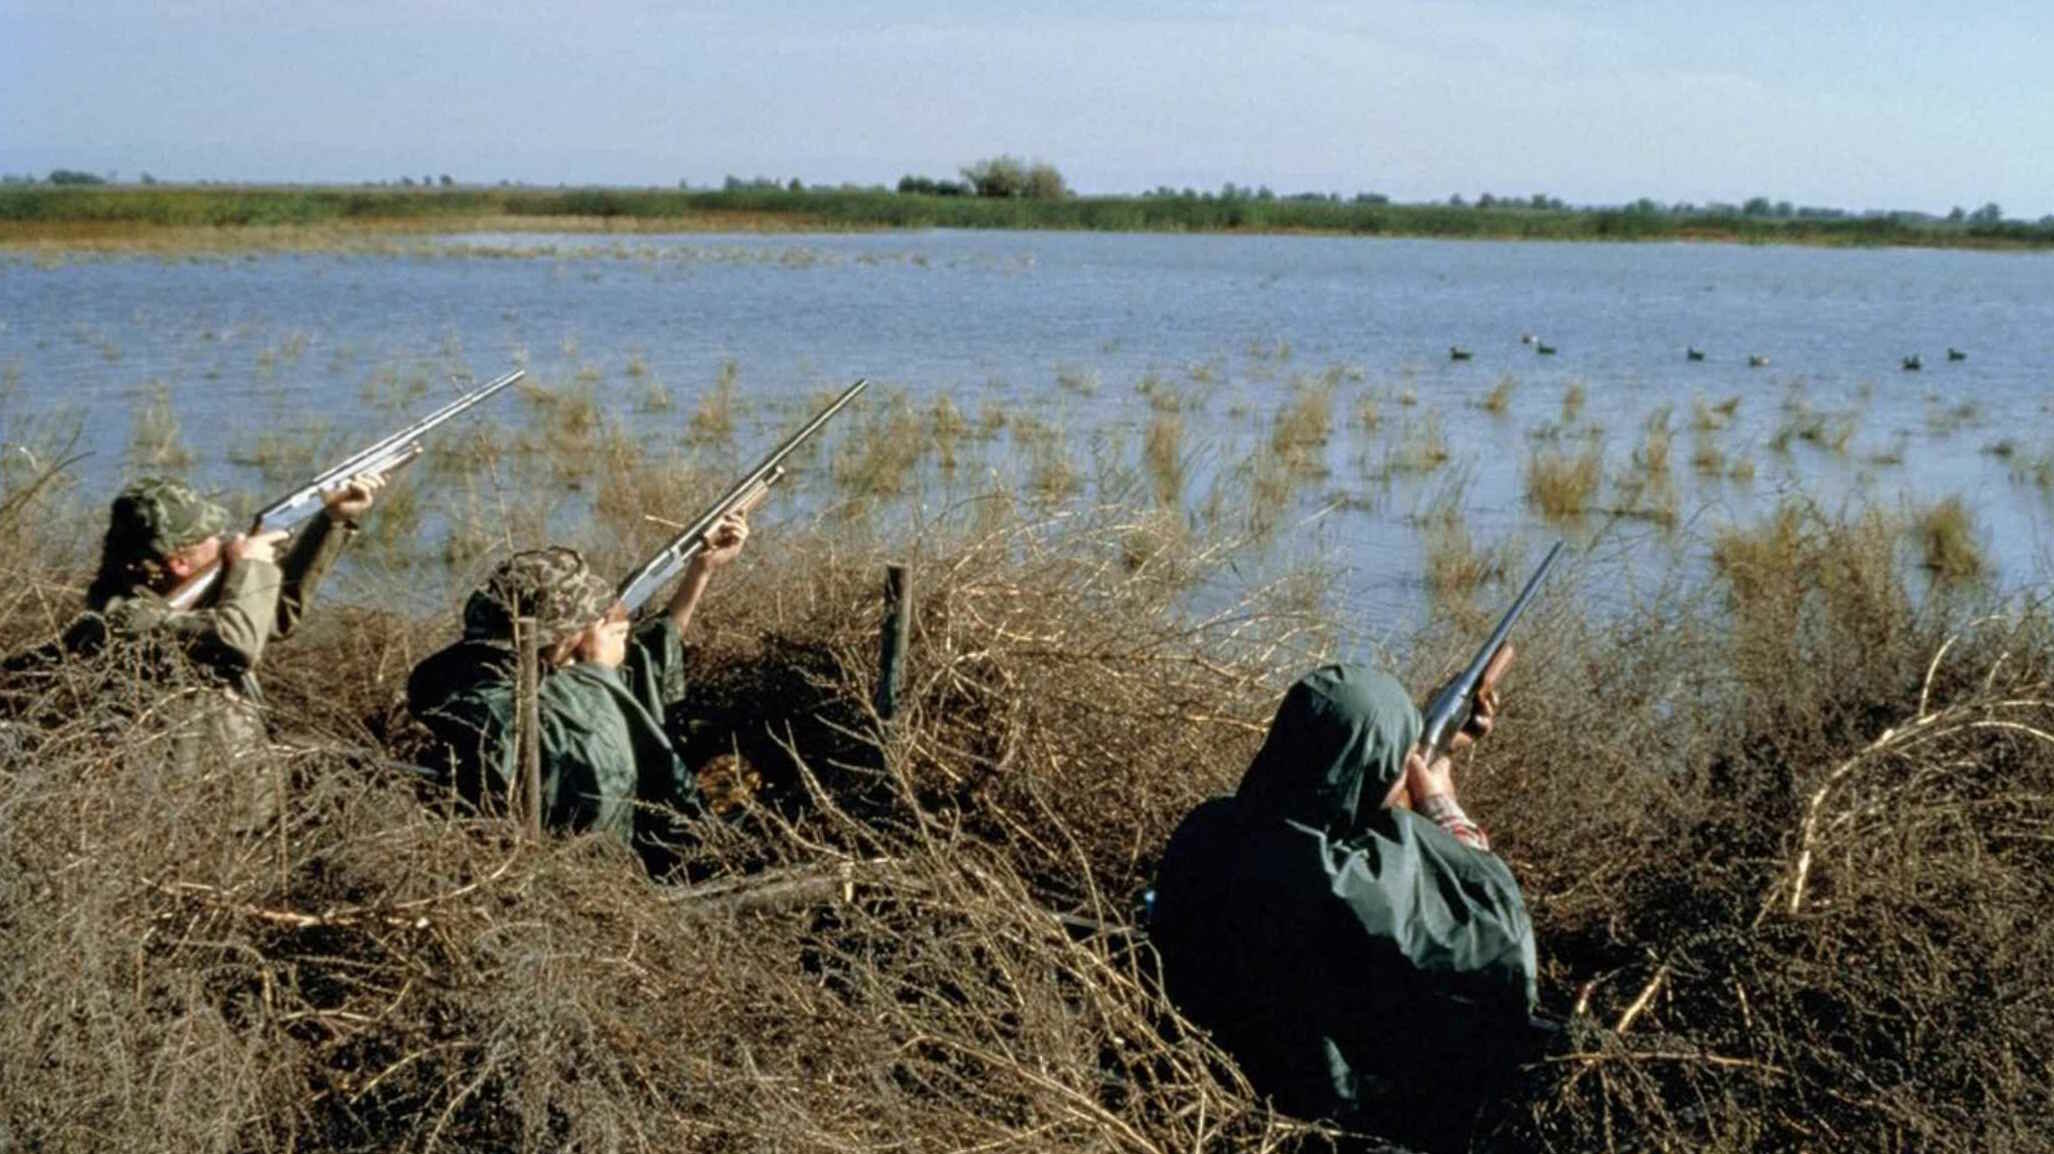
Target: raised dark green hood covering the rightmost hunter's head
(1336,748)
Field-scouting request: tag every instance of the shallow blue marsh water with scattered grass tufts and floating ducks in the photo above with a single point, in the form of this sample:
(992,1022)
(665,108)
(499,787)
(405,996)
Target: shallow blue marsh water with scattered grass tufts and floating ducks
(1092,338)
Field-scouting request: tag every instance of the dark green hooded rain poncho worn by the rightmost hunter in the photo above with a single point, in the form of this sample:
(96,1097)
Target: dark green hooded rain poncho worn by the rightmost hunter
(1328,941)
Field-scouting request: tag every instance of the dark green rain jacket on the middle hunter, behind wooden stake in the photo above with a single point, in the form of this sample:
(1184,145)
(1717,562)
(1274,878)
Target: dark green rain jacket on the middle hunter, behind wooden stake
(607,759)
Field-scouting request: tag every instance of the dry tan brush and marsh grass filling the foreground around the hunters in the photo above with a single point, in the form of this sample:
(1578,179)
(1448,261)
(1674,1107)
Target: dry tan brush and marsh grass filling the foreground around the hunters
(1741,923)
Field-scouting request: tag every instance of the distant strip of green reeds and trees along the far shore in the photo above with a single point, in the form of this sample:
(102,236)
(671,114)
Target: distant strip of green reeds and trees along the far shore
(32,210)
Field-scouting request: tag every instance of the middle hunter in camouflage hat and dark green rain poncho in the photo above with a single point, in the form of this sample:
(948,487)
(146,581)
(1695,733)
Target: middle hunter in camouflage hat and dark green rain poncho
(609,763)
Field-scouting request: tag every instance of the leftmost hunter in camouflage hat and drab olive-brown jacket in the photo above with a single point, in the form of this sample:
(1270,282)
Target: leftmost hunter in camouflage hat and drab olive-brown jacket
(163,533)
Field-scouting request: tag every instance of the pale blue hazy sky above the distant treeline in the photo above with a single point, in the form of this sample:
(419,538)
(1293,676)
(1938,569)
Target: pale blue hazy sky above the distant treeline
(1880,106)
